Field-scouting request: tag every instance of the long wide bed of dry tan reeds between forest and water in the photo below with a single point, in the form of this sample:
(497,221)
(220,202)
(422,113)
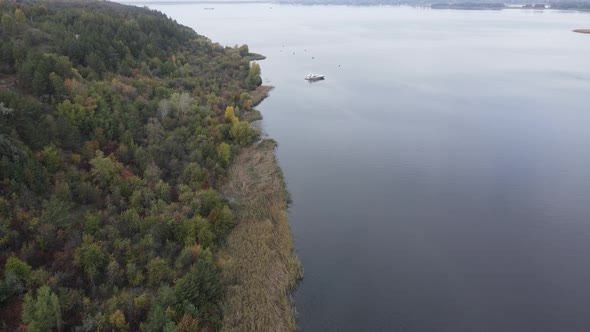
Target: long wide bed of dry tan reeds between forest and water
(258,261)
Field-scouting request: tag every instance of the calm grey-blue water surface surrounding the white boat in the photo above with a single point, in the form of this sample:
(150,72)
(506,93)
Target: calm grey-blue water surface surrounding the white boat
(440,175)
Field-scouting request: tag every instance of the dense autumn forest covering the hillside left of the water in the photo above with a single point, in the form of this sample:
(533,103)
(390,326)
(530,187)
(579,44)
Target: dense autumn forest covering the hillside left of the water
(117,128)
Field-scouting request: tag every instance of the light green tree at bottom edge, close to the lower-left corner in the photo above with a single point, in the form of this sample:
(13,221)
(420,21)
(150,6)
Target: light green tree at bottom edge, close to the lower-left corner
(42,312)
